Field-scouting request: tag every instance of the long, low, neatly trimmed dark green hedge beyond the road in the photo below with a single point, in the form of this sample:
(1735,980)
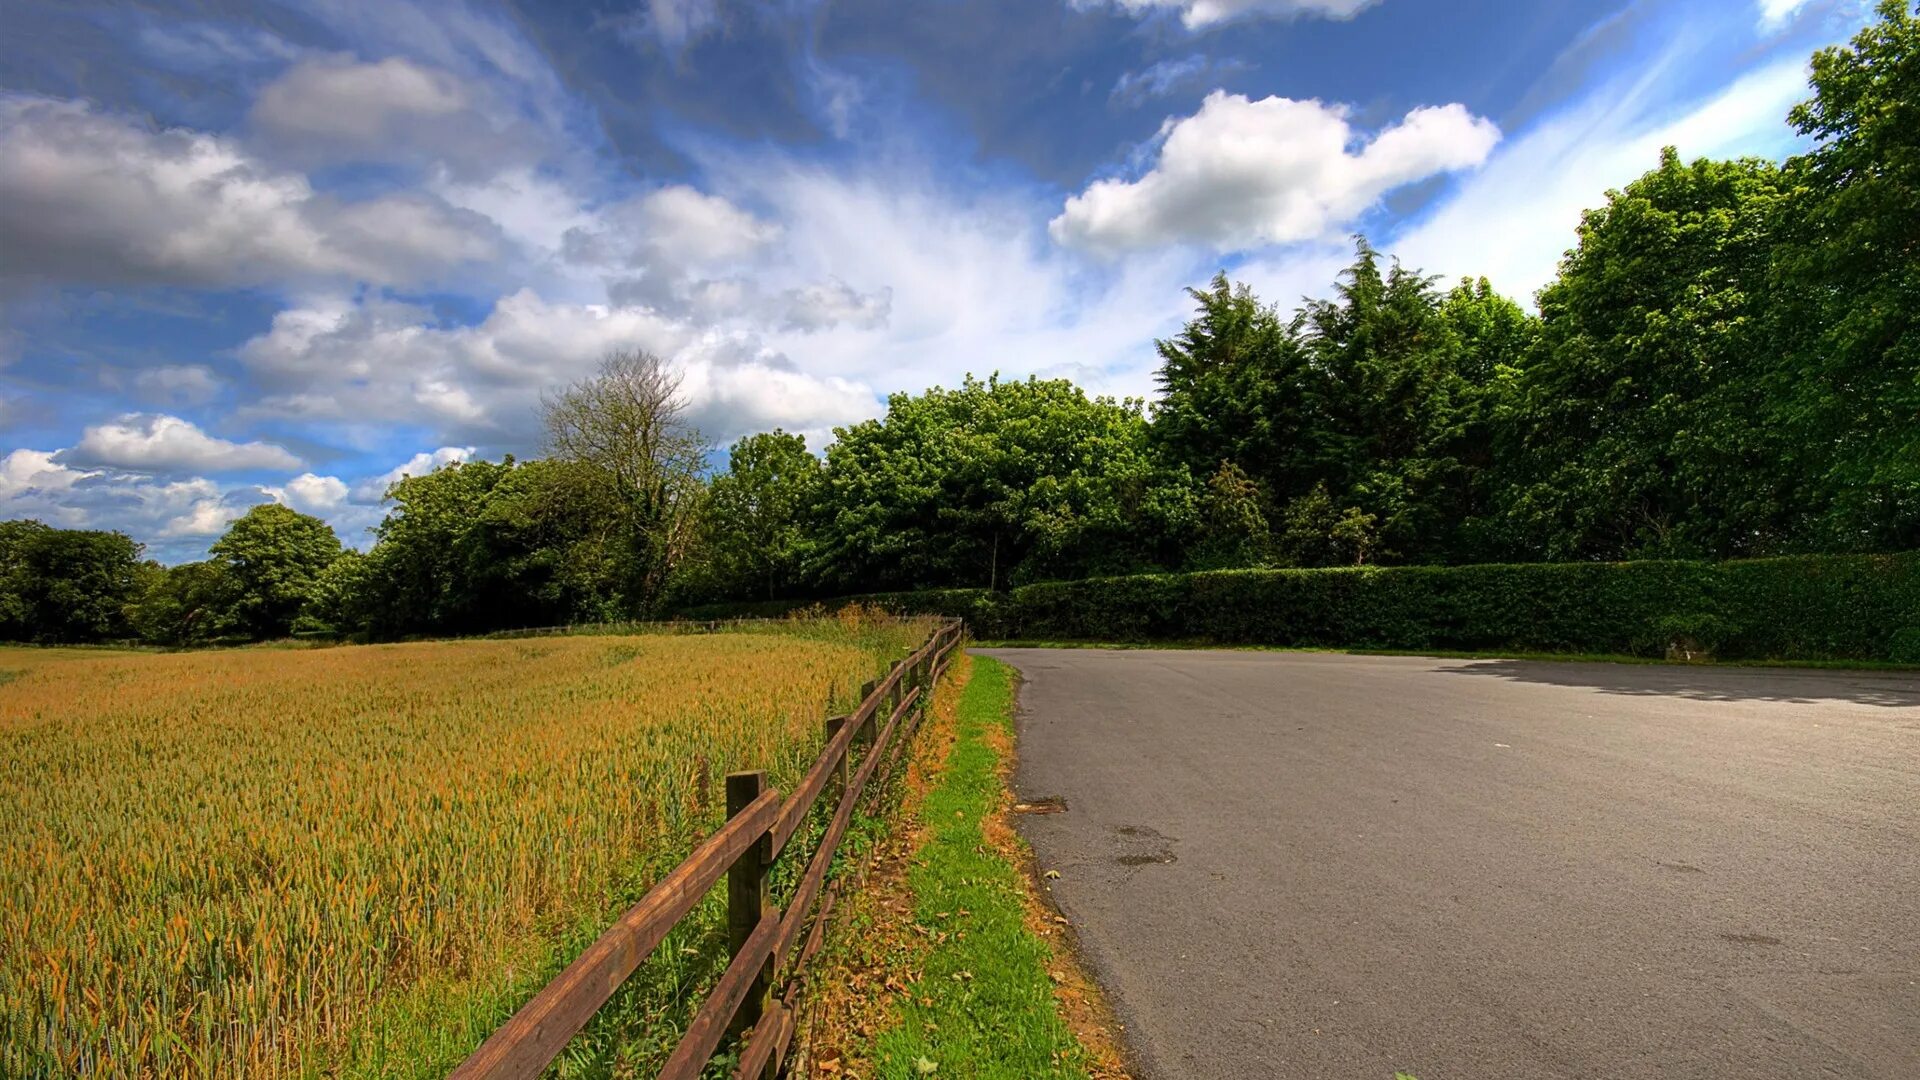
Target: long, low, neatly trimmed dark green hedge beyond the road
(1788,608)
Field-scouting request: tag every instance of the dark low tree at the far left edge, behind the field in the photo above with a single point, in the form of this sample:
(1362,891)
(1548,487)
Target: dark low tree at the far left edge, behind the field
(66,585)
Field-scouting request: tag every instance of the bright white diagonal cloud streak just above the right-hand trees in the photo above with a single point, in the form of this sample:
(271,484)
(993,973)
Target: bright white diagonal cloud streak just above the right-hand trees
(1518,216)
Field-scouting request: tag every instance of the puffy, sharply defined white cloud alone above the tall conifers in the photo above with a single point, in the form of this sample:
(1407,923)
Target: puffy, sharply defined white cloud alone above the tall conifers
(1243,174)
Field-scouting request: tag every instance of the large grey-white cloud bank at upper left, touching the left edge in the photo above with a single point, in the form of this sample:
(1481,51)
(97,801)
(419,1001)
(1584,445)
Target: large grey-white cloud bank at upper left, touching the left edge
(87,197)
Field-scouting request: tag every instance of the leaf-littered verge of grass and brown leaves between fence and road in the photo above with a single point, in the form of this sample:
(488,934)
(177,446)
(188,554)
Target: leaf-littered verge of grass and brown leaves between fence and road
(953,941)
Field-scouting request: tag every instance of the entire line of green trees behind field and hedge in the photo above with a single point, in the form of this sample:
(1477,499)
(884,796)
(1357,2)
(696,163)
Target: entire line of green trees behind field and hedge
(1727,366)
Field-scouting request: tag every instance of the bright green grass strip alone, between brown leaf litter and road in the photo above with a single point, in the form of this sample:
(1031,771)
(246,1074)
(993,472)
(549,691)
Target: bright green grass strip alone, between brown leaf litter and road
(984,1006)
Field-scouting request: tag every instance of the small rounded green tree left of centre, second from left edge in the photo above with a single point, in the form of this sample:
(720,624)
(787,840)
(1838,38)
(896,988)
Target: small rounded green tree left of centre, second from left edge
(274,556)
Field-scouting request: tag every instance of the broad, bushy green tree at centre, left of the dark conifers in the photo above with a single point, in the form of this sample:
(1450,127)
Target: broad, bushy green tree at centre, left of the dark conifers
(994,485)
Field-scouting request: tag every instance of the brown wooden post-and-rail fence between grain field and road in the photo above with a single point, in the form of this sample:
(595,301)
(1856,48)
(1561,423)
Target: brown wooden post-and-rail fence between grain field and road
(757,996)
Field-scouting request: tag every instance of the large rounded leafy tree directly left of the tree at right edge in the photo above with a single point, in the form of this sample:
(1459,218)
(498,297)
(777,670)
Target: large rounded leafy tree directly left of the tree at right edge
(1641,424)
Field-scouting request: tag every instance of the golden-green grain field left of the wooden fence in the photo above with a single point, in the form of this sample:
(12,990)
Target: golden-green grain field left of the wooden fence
(358,860)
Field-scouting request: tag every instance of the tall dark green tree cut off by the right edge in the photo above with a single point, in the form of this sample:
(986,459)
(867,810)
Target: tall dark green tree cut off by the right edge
(1852,285)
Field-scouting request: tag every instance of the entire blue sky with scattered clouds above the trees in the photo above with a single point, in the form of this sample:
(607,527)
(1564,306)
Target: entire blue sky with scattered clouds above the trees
(289,253)
